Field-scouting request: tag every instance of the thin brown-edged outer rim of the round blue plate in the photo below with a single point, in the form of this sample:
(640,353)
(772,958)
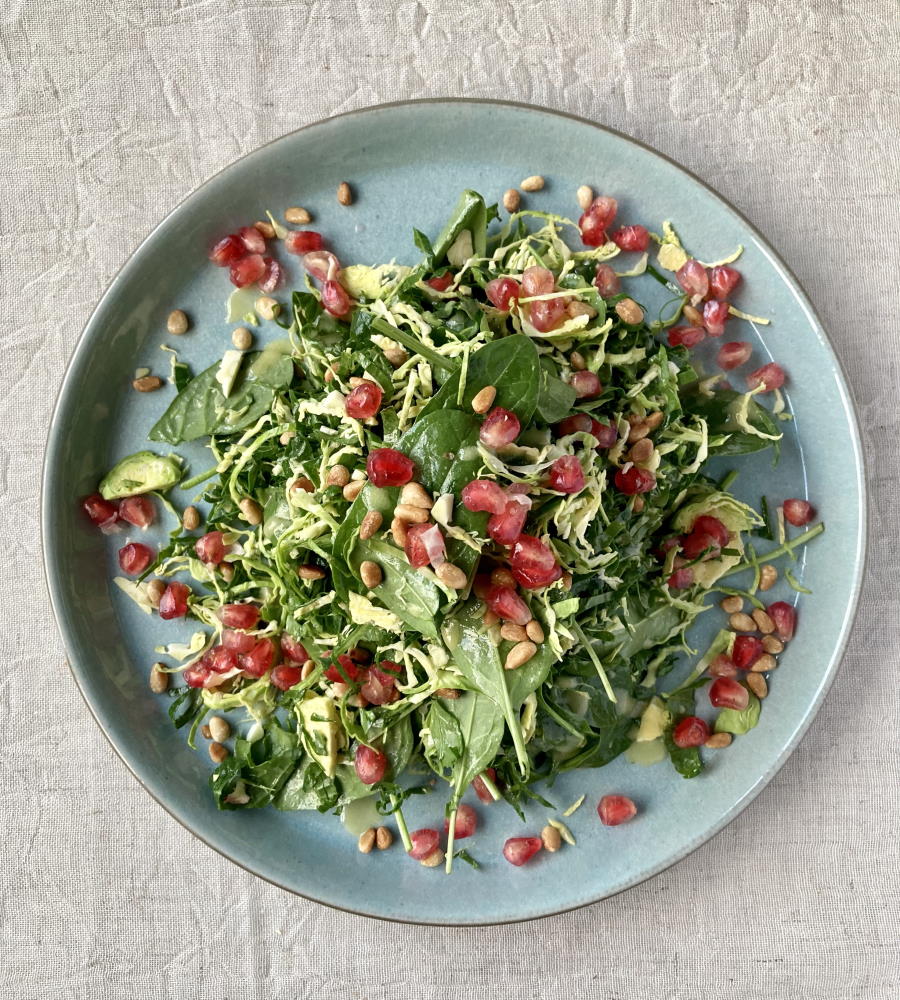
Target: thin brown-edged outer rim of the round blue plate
(812,709)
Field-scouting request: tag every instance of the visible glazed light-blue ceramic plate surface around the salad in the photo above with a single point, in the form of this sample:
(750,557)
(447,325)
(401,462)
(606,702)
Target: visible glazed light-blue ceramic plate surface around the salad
(408,163)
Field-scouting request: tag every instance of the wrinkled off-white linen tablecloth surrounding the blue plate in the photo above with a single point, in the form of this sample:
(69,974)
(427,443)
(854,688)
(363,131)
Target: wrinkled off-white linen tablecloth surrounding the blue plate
(111,111)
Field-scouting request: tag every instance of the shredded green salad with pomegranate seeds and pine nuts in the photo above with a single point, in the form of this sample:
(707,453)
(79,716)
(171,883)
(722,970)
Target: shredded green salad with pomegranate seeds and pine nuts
(457,520)
